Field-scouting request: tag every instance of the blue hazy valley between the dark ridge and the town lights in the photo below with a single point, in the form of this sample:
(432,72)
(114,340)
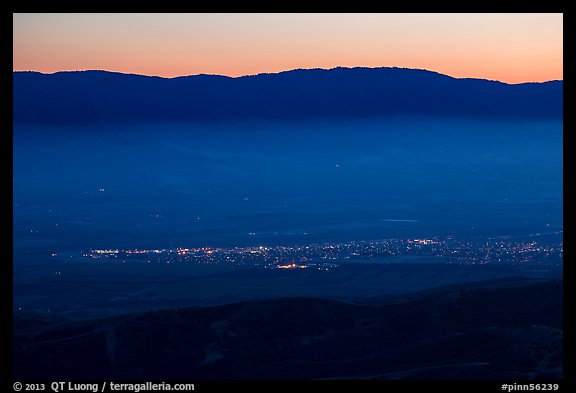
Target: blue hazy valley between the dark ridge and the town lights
(263,182)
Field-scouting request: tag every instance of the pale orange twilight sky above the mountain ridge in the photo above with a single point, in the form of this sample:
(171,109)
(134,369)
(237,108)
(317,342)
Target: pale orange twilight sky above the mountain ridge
(512,48)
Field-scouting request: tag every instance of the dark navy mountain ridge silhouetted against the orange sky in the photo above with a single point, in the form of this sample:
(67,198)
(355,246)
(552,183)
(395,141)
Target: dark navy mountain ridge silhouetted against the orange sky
(100,97)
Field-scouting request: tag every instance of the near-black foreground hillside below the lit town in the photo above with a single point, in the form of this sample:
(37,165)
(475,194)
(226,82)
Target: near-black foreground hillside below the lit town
(506,331)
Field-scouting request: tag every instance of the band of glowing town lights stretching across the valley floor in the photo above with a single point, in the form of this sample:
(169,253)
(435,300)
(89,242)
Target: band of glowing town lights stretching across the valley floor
(447,250)
